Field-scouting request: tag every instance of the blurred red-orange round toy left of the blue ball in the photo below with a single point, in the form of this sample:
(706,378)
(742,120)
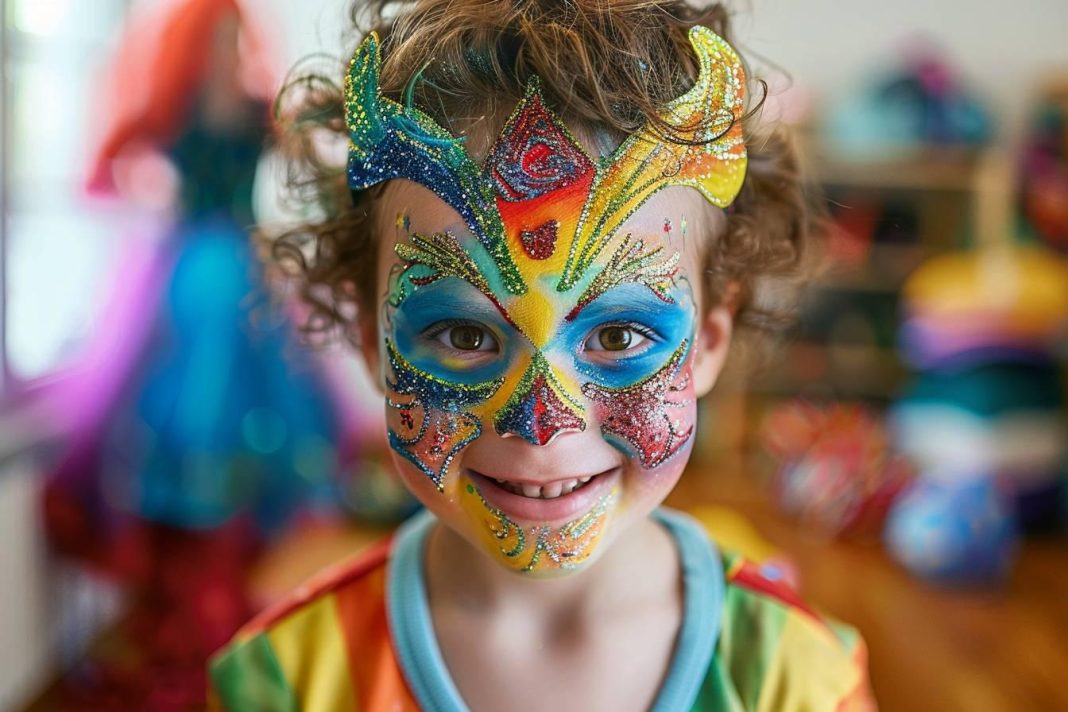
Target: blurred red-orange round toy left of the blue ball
(837,470)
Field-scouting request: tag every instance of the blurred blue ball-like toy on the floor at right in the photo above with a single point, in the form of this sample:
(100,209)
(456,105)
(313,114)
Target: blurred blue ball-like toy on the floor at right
(959,533)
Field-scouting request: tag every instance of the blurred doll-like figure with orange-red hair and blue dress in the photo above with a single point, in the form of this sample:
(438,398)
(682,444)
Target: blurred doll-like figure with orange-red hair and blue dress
(198,437)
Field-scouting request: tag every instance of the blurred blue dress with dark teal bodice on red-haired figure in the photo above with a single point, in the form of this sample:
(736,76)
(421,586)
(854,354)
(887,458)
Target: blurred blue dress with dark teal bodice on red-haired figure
(224,415)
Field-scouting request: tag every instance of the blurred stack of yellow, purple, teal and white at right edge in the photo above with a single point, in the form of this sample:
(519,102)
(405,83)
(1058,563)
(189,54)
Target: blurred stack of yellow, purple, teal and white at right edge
(983,329)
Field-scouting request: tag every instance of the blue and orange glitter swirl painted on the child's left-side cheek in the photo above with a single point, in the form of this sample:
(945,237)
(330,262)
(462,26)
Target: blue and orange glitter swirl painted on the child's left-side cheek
(434,419)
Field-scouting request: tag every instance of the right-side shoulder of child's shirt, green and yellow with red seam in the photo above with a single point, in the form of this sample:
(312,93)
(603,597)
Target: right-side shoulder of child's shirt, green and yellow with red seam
(776,653)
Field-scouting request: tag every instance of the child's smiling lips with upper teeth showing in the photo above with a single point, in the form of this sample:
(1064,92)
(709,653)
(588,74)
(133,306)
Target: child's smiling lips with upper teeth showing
(548,502)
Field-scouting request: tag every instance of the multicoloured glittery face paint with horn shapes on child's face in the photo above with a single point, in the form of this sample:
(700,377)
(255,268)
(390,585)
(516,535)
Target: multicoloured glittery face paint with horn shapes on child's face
(539,271)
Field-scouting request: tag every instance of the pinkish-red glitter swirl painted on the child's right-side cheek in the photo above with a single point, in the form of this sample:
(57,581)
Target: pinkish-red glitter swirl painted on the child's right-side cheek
(648,415)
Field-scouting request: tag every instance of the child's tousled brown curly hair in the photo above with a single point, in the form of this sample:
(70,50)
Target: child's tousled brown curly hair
(624,60)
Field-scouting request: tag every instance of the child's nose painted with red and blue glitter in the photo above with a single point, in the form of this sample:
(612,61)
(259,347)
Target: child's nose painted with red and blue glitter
(540,409)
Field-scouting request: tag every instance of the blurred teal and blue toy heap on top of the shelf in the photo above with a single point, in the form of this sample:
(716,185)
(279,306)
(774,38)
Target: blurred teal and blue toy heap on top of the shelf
(922,105)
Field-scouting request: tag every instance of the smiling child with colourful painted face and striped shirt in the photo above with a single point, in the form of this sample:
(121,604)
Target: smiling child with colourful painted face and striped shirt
(551,238)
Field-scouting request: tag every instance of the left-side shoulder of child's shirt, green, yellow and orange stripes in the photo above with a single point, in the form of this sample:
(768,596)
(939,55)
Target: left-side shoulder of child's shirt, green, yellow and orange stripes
(307,642)
